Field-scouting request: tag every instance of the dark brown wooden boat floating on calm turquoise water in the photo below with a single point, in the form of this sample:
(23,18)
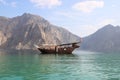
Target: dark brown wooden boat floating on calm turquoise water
(58,49)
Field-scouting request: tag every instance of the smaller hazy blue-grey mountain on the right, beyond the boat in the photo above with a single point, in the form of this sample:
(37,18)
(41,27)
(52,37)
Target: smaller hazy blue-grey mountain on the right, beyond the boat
(106,39)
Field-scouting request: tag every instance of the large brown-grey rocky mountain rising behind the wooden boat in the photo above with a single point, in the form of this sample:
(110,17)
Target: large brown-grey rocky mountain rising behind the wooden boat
(22,32)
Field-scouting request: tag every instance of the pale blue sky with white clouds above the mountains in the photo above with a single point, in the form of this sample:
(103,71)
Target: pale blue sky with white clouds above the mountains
(81,17)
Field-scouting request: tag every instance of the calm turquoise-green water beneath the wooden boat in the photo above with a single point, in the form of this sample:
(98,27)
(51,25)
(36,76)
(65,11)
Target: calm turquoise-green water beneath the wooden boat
(79,66)
